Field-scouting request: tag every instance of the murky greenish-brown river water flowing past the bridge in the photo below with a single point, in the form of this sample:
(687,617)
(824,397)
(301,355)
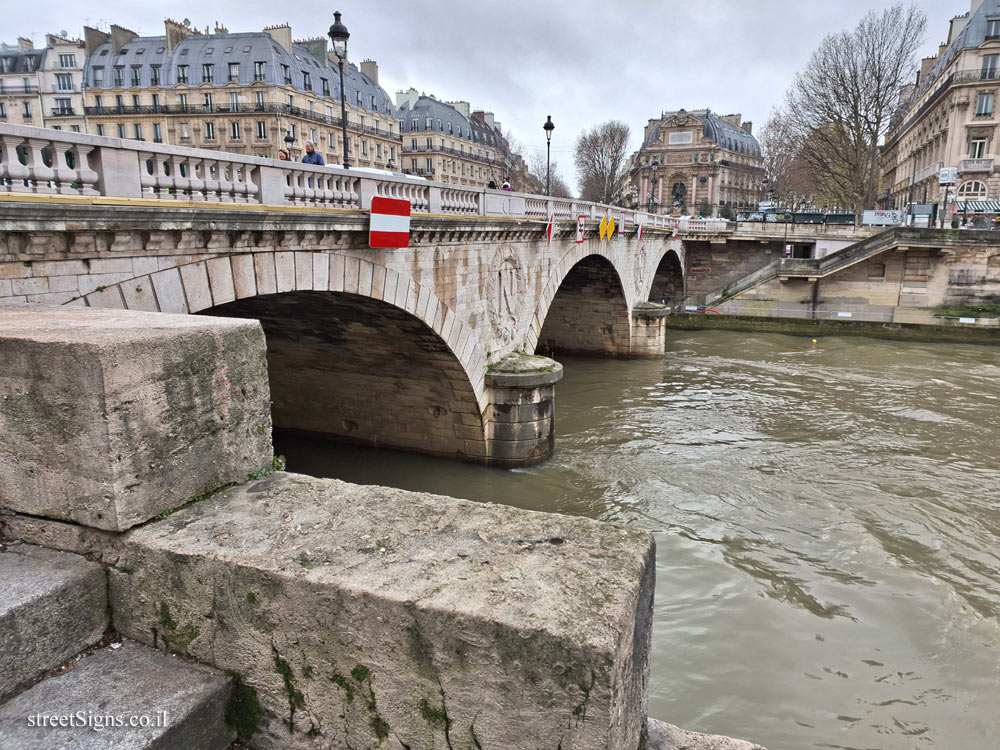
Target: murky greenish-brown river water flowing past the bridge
(827,520)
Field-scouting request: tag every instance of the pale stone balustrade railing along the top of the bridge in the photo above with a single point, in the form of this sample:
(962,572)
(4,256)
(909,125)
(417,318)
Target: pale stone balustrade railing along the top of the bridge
(45,161)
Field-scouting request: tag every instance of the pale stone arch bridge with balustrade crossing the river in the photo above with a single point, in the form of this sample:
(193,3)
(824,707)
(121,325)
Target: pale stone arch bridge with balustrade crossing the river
(427,348)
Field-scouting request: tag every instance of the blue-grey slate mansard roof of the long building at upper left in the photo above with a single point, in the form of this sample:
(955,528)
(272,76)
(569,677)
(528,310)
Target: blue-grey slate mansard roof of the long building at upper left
(246,49)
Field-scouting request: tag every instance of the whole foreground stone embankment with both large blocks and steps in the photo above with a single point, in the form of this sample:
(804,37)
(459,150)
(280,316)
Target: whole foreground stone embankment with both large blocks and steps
(142,511)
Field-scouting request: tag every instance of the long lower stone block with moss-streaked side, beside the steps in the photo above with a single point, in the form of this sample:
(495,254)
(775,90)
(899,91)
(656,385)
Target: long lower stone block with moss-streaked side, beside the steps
(360,614)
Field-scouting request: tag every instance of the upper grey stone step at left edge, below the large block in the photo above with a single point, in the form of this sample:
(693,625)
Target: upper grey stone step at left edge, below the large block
(54,604)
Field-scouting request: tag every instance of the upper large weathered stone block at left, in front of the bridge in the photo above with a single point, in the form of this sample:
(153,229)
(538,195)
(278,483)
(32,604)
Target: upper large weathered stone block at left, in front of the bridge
(109,417)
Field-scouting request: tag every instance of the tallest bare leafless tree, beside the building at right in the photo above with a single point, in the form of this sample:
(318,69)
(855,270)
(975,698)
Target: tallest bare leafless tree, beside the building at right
(840,106)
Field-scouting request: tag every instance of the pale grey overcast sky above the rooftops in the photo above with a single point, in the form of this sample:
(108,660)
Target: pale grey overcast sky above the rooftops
(582,62)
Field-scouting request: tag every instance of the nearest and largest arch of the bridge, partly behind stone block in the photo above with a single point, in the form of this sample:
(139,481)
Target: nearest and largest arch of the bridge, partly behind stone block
(356,351)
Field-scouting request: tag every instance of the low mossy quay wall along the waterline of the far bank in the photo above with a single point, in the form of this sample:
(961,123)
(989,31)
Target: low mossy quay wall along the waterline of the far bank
(956,334)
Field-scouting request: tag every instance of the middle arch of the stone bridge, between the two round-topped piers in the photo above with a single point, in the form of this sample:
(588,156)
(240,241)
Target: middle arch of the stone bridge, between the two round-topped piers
(583,308)
